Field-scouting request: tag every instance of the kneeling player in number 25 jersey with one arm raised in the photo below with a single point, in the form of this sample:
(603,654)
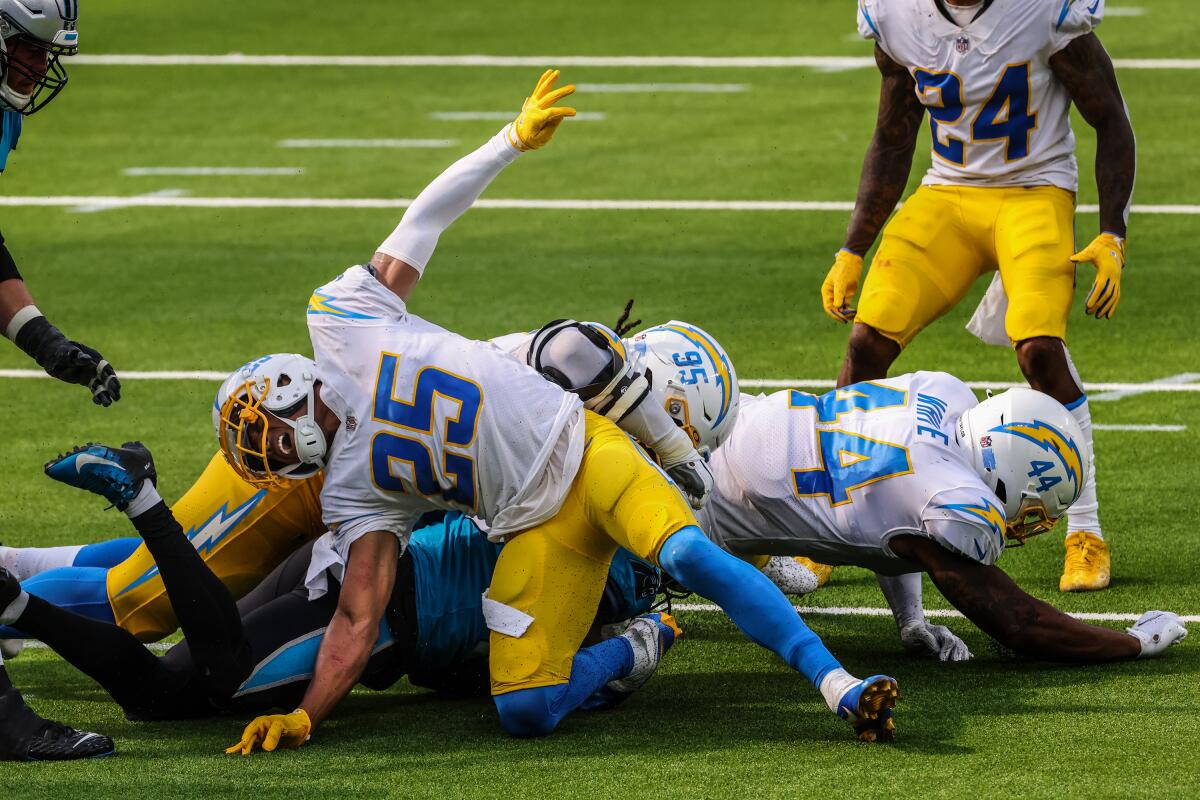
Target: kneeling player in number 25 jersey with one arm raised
(405,417)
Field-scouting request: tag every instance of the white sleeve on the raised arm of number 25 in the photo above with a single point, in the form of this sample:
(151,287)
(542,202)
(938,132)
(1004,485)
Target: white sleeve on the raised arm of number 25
(447,200)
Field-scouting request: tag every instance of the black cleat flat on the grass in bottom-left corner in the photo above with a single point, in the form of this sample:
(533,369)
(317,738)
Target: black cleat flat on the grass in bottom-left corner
(27,737)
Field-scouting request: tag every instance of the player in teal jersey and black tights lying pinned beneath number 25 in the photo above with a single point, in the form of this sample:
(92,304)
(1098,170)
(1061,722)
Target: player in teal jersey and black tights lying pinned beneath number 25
(261,653)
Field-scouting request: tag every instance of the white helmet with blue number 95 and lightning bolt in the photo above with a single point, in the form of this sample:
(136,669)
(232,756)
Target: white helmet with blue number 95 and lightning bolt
(692,375)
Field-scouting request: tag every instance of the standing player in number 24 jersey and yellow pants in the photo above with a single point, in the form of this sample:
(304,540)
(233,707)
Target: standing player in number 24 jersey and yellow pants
(998,81)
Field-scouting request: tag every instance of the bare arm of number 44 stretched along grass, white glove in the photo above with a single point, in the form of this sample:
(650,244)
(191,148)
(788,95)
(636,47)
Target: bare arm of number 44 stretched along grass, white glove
(1004,611)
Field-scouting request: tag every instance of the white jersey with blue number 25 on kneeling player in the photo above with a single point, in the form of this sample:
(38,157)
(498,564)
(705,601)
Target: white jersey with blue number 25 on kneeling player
(434,420)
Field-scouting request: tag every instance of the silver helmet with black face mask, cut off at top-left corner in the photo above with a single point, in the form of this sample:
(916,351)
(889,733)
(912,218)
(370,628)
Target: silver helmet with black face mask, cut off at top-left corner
(49,26)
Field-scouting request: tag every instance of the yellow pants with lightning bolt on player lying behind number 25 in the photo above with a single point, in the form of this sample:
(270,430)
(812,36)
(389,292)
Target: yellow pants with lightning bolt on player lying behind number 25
(242,533)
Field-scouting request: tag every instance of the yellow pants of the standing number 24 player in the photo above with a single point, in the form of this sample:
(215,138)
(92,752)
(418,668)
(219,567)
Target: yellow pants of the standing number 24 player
(946,237)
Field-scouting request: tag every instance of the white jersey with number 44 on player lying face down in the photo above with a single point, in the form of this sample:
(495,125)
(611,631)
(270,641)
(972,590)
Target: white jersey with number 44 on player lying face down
(836,477)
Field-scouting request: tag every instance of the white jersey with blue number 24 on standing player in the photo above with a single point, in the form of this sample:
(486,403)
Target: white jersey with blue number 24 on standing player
(999,116)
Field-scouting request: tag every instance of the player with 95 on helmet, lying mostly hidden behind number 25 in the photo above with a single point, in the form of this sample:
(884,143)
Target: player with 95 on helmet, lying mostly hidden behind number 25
(243,532)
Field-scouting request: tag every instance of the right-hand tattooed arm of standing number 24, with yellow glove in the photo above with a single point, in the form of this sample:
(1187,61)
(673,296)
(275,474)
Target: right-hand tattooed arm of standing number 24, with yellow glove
(1087,71)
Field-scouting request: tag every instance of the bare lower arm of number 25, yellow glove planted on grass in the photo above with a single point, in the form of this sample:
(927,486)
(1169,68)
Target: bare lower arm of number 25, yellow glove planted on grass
(345,649)
